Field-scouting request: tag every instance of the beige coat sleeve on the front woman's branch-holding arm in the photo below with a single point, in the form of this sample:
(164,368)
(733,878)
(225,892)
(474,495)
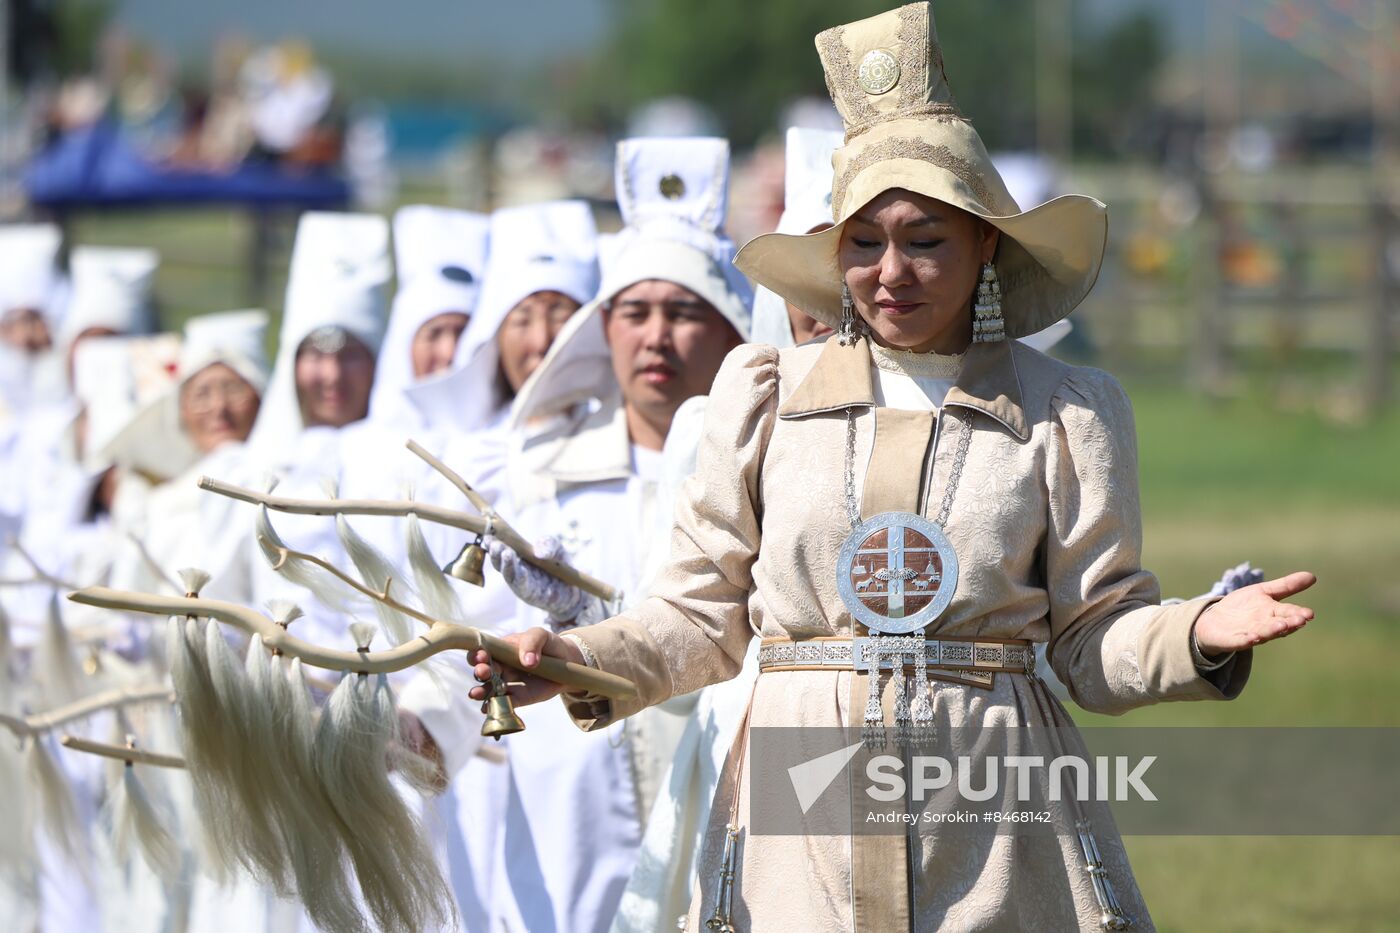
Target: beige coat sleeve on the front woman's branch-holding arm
(695,628)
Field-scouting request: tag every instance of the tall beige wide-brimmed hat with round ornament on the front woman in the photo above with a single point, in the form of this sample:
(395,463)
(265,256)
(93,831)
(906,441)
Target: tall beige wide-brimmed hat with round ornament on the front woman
(904,131)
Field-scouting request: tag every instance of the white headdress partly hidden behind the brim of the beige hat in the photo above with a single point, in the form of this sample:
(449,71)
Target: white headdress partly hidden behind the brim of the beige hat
(807,204)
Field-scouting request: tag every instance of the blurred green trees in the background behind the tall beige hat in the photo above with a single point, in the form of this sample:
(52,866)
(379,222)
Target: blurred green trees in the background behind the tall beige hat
(747,61)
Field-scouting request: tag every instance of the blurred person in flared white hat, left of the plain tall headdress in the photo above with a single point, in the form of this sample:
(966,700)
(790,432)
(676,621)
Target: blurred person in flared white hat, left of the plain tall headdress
(198,428)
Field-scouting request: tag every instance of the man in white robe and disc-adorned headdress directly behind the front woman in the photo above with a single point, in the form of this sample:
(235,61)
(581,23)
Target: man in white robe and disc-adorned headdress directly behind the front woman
(591,421)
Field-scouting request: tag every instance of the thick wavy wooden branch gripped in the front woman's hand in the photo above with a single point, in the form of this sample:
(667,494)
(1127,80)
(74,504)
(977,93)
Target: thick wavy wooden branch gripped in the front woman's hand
(442,637)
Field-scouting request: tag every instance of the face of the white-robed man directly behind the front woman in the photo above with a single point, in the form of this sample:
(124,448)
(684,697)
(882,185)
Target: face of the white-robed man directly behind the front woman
(667,345)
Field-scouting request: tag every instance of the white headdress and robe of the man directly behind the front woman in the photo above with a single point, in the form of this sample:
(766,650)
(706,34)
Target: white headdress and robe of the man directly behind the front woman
(577,802)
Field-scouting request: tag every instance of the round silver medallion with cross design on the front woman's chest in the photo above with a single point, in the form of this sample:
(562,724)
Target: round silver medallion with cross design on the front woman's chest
(897,572)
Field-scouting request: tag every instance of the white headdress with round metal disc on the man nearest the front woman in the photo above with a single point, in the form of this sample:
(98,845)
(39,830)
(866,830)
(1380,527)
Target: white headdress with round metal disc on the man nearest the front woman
(674,195)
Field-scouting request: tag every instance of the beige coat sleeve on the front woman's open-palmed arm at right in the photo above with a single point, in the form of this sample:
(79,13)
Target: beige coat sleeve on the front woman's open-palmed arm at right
(1111,641)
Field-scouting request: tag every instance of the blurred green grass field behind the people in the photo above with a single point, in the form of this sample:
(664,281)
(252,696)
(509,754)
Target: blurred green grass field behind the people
(1258,477)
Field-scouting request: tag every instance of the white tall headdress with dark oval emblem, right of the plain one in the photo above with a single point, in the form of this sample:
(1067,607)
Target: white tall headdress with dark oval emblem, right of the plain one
(442,263)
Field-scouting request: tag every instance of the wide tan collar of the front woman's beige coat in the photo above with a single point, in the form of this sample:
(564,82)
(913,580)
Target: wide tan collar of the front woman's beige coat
(842,379)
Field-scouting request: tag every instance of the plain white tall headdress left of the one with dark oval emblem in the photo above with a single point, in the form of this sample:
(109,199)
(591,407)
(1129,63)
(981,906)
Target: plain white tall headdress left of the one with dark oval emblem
(339,275)
